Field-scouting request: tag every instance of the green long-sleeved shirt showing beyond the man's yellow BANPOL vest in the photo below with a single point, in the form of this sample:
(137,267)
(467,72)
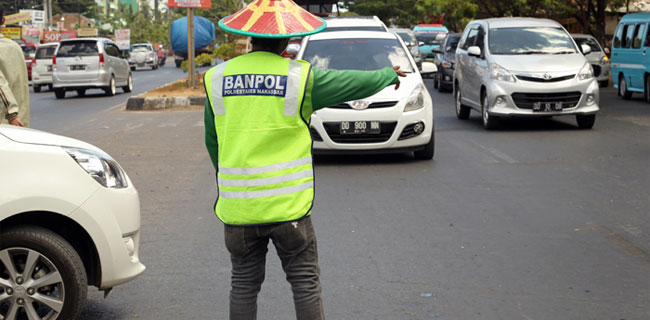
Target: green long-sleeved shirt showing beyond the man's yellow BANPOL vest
(331,87)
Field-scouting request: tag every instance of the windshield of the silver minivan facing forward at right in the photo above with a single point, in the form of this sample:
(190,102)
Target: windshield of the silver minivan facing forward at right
(530,40)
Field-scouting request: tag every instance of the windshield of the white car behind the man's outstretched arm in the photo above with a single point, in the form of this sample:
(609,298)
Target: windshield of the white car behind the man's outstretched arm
(357,54)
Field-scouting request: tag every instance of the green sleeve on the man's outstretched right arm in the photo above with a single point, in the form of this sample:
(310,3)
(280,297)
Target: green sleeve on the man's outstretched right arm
(337,86)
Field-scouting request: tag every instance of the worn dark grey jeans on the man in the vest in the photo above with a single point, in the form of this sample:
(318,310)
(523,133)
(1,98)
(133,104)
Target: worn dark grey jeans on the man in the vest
(295,243)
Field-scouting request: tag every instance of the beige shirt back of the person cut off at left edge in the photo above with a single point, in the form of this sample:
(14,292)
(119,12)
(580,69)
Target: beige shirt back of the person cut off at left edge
(14,72)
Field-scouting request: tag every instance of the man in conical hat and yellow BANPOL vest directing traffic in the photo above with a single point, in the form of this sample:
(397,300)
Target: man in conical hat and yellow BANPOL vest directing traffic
(257,134)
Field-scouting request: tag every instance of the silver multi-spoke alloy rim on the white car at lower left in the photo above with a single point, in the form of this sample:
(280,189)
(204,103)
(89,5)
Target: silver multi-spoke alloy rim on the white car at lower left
(30,285)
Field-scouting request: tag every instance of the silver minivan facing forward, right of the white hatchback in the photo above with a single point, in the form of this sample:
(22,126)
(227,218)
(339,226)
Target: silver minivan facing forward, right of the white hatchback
(515,67)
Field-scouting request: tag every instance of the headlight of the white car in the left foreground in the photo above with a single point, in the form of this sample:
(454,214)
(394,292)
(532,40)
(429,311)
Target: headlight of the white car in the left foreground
(100,166)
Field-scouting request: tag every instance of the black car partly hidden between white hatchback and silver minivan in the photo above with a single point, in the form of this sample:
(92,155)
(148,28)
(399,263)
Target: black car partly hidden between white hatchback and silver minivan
(446,61)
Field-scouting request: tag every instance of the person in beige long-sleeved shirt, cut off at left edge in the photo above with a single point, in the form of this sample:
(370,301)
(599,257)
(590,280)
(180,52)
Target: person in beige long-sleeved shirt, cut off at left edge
(14,85)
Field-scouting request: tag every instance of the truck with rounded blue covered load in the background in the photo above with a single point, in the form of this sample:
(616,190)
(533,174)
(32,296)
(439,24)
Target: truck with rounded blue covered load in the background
(204,38)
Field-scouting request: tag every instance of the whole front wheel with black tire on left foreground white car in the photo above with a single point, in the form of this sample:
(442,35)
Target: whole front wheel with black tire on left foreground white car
(54,259)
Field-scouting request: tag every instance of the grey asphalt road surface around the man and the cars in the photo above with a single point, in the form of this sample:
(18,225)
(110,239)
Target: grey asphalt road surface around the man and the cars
(538,220)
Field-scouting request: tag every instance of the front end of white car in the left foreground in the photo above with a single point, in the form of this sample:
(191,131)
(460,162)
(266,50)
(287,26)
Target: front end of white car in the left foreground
(70,218)
